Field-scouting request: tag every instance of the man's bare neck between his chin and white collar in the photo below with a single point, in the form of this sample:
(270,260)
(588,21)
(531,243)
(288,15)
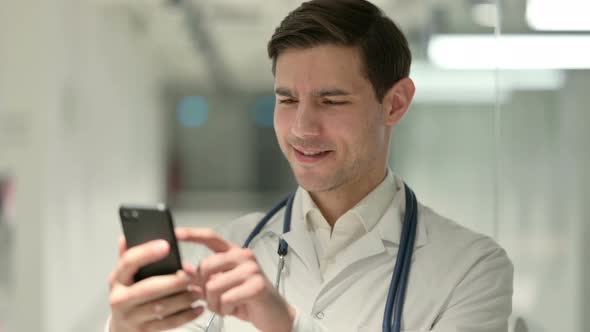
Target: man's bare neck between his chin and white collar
(336,202)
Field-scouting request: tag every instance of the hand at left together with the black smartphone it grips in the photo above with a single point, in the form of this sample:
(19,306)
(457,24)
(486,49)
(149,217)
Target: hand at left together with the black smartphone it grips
(150,289)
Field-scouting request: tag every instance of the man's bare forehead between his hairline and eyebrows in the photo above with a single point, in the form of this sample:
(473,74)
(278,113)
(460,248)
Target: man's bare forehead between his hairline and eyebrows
(320,67)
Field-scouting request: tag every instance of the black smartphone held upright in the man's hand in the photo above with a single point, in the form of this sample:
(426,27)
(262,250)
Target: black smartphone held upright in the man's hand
(142,224)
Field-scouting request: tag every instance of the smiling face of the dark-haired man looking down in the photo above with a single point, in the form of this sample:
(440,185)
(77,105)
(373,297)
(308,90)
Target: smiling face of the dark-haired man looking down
(328,122)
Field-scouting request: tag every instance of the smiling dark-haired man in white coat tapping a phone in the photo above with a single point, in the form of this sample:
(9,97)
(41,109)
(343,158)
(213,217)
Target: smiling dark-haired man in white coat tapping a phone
(341,82)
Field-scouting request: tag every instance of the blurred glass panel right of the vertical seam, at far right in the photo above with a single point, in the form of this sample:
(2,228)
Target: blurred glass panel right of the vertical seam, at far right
(543,160)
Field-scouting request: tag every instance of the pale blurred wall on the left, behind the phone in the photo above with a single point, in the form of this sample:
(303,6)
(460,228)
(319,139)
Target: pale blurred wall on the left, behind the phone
(94,139)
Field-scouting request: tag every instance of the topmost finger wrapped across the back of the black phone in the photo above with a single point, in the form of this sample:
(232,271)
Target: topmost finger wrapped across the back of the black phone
(138,256)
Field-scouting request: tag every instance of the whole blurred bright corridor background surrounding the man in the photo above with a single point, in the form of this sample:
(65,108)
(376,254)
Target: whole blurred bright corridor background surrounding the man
(111,101)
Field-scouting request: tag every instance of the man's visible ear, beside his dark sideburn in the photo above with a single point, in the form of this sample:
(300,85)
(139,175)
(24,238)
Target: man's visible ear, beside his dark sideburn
(397,100)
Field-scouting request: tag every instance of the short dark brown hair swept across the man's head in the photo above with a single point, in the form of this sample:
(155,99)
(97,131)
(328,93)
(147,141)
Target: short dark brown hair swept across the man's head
(359,23)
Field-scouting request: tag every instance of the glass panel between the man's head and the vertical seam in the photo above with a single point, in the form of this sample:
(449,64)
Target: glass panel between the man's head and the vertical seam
(444,147)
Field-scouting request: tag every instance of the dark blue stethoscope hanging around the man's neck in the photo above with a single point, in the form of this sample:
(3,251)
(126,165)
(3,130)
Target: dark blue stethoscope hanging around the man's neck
(401,271)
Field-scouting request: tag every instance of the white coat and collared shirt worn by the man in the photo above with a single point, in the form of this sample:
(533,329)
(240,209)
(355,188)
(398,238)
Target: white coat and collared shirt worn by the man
(460,281)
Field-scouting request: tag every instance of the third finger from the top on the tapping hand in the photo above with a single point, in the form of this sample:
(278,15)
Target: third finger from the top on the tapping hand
(225,281)
